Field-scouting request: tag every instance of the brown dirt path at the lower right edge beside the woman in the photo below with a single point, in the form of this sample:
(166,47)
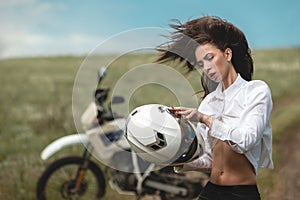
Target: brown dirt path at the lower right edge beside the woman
(287,180)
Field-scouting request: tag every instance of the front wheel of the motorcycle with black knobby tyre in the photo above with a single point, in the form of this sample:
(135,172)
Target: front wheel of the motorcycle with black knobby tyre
(59,180)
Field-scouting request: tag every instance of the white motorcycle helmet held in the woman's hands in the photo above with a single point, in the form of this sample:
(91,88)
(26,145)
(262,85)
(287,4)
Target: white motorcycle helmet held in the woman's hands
(157,136)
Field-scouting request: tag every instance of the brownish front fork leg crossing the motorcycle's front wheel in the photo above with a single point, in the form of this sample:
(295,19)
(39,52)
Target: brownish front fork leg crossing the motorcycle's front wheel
(82,169)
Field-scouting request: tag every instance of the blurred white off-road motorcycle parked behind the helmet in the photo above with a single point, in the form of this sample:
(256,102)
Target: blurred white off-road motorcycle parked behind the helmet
(81,177)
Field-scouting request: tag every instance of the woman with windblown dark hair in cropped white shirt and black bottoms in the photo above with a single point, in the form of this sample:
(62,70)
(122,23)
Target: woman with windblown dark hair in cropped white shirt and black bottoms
(234,116)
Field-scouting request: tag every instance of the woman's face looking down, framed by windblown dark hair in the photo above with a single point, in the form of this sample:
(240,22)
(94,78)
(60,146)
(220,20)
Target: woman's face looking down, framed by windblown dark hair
(214,62)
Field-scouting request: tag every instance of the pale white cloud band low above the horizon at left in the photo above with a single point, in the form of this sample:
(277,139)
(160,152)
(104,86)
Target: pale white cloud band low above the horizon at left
(20,44)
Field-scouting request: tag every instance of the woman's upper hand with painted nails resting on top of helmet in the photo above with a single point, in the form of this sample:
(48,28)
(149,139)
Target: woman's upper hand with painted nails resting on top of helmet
(192,114)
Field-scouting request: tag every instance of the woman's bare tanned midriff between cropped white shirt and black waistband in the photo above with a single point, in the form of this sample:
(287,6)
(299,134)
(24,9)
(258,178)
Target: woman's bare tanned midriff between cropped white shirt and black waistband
(230,167)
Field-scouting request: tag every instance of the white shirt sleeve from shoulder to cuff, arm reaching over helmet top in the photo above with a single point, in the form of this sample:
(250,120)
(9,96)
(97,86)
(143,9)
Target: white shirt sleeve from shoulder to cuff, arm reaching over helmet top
(253,120)
